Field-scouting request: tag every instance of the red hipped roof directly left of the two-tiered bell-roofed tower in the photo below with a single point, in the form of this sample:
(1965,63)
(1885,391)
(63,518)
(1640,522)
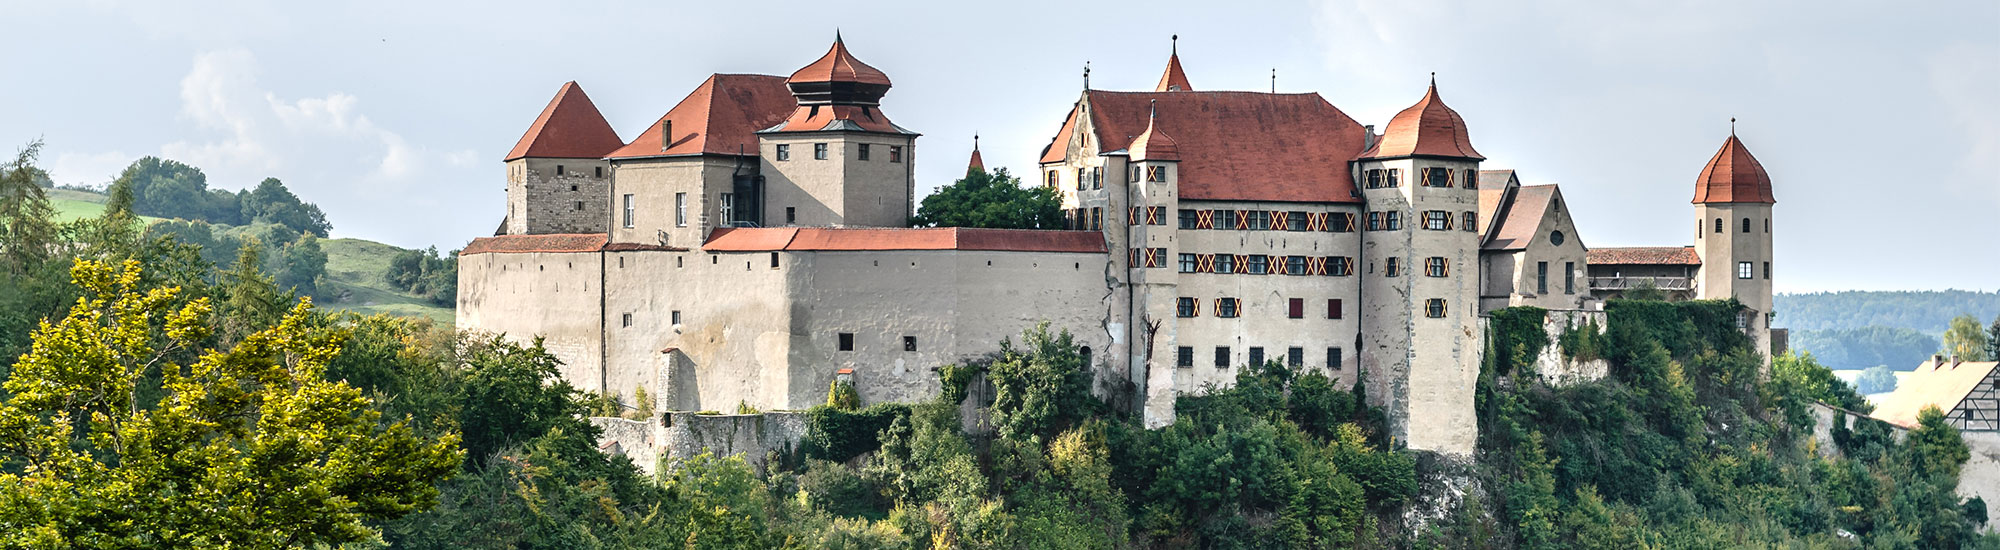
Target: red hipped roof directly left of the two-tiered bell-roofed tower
(721,117)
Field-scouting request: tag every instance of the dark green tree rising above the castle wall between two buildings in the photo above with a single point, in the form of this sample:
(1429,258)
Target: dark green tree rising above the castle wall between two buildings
(991,201)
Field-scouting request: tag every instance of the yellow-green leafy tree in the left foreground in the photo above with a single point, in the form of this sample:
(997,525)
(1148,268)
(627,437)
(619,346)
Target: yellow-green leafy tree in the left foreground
(249,447)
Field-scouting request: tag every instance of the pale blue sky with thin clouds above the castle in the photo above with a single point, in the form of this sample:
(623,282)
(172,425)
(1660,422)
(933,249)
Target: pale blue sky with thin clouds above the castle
(1881,127)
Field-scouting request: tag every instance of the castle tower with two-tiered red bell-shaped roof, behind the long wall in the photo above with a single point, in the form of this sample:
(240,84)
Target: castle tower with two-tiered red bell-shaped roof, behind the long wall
(839,161)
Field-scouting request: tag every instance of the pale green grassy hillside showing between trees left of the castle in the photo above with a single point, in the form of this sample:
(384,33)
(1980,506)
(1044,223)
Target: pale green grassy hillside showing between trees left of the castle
(353,267)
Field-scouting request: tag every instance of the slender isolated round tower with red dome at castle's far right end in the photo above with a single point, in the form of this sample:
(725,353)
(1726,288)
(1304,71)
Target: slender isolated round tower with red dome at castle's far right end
(1733,205)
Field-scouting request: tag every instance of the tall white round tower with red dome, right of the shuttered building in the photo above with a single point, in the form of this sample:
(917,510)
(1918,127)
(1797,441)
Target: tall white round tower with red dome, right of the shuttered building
(1421,349)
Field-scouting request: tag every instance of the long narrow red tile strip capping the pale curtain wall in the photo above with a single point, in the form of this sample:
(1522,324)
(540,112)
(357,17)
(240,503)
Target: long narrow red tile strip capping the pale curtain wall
(903,239)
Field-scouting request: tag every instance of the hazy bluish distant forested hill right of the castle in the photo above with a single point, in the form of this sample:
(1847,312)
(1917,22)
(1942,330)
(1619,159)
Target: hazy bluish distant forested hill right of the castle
(1867,329)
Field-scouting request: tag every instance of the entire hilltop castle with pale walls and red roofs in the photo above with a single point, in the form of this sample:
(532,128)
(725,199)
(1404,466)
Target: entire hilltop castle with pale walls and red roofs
(751,247)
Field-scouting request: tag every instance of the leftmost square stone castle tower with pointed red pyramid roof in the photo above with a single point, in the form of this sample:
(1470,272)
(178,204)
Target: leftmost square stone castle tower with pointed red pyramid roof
(557,177)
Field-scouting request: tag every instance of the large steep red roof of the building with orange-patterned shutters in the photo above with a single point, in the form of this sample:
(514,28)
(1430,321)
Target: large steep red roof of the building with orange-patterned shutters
(1235,145)
